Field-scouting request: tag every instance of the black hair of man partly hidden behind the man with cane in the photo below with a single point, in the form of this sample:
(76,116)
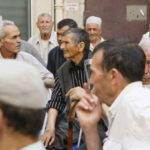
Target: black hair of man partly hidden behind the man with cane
(67,22)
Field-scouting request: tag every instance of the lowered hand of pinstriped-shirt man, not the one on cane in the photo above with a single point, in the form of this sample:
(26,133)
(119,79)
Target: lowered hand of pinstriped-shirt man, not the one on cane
(48,137)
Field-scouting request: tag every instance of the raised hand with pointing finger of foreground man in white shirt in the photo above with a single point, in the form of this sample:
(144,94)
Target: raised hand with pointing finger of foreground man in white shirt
(88,109)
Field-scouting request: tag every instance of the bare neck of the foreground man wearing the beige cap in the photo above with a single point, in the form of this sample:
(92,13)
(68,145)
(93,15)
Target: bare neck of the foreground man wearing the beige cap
(14,141)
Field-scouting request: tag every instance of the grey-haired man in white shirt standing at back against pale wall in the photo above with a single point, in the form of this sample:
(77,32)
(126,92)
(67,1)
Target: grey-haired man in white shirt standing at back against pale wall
(47,38)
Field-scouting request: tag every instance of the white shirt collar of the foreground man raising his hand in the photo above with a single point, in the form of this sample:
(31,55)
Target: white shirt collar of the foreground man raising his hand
(114,108)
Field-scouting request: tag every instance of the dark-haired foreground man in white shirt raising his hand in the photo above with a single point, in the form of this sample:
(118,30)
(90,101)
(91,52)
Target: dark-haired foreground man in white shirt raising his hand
(117,73)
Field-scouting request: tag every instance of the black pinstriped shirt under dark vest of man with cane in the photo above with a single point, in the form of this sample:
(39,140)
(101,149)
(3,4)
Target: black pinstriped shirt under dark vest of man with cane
(78,79)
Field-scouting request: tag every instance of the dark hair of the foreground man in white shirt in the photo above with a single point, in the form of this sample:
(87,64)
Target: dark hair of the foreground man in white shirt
(128,59)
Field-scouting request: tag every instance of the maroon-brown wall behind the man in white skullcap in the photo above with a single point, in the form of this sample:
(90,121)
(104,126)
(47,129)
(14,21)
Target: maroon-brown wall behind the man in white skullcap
(114,15)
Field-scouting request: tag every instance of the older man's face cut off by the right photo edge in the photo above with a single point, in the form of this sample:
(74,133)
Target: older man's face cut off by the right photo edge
(146,77)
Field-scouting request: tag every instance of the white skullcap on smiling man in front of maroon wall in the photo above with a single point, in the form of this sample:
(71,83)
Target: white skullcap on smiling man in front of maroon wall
(94,19)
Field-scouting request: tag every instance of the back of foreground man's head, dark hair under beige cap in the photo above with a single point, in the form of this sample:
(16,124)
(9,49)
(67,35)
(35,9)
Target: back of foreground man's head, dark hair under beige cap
(22,97)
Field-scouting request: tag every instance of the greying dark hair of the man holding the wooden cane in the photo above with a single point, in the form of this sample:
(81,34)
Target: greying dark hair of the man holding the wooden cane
(79,35)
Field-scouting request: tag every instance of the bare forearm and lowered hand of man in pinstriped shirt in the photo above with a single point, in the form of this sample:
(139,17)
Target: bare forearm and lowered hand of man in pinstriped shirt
(49,136)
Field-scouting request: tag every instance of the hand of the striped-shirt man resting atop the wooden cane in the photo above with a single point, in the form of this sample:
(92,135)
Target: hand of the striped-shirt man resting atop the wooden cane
(76,93)
